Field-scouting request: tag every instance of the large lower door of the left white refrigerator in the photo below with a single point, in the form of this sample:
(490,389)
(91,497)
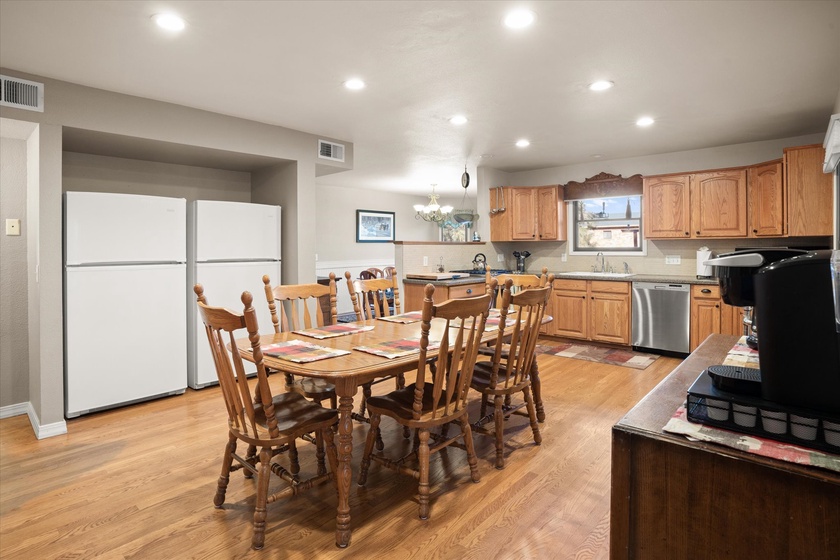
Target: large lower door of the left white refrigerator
(125,335)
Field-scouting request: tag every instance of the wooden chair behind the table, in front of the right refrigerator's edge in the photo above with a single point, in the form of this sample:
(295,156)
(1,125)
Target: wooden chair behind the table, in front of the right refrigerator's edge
(293,307)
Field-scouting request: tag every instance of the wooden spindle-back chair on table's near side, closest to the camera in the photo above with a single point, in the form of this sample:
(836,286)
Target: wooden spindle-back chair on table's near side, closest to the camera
(435,399)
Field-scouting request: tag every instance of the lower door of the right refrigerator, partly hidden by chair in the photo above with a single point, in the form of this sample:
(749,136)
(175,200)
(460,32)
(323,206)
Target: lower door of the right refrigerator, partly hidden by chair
(223,286)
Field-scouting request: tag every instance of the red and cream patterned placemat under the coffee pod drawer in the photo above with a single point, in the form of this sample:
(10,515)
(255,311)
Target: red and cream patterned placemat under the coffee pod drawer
(679,424)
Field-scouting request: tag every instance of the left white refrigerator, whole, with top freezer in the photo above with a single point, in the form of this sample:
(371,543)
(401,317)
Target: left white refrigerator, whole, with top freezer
(124,304)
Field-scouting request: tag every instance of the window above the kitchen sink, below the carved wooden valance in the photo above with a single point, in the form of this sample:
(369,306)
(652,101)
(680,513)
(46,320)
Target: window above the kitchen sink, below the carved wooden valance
(607,225)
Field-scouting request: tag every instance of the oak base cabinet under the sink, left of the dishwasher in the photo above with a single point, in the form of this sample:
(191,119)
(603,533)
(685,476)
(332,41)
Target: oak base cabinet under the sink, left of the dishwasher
(595,310)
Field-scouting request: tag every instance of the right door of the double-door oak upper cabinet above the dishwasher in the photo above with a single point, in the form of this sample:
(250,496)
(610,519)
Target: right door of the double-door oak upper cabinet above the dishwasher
(719,204)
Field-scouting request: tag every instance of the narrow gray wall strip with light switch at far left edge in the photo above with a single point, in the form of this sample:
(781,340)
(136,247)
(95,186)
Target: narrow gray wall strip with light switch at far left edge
(14,347)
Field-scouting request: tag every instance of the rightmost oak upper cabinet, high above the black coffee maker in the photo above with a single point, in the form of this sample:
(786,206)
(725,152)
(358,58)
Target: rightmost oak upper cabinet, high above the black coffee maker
(808,191)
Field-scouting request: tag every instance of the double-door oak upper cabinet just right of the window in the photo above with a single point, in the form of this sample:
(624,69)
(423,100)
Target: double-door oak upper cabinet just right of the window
(695,206)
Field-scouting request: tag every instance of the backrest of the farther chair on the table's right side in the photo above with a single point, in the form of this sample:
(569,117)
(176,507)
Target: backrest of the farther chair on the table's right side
(520,339)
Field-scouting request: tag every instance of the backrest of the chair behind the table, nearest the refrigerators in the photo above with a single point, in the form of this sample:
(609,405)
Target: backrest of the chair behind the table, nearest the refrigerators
(296,302)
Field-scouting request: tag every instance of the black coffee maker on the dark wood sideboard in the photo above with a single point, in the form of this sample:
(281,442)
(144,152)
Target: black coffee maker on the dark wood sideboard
(798,337)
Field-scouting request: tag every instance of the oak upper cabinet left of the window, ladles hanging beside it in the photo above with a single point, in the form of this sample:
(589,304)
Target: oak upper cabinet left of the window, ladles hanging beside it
(527,214)
